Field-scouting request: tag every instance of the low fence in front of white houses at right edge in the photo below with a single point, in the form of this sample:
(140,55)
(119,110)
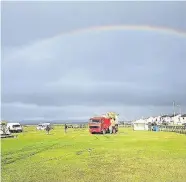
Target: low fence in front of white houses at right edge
(177,129)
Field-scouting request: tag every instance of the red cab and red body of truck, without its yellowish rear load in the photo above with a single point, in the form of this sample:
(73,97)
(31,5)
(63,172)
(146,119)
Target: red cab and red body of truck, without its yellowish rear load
(101,125)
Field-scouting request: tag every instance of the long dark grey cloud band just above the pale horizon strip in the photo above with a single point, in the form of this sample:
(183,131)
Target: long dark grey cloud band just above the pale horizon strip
(97,99)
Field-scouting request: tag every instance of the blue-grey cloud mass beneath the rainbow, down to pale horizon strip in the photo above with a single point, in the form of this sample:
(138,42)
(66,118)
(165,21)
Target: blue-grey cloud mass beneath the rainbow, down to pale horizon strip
(104,74)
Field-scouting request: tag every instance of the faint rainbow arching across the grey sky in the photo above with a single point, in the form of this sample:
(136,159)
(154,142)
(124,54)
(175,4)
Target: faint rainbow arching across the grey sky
(147,28)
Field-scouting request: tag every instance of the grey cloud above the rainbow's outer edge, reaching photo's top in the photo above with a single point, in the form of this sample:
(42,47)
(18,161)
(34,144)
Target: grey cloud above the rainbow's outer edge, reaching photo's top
(38,20)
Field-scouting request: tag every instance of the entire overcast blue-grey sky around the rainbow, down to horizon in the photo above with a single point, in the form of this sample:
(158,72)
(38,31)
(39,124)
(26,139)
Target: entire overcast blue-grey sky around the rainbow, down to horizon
(50,74)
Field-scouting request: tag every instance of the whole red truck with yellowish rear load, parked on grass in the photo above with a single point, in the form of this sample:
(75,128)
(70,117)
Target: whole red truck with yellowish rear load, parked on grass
(104,124)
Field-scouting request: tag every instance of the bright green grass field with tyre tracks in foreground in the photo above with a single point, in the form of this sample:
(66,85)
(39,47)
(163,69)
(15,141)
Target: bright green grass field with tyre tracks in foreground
(78,156)
